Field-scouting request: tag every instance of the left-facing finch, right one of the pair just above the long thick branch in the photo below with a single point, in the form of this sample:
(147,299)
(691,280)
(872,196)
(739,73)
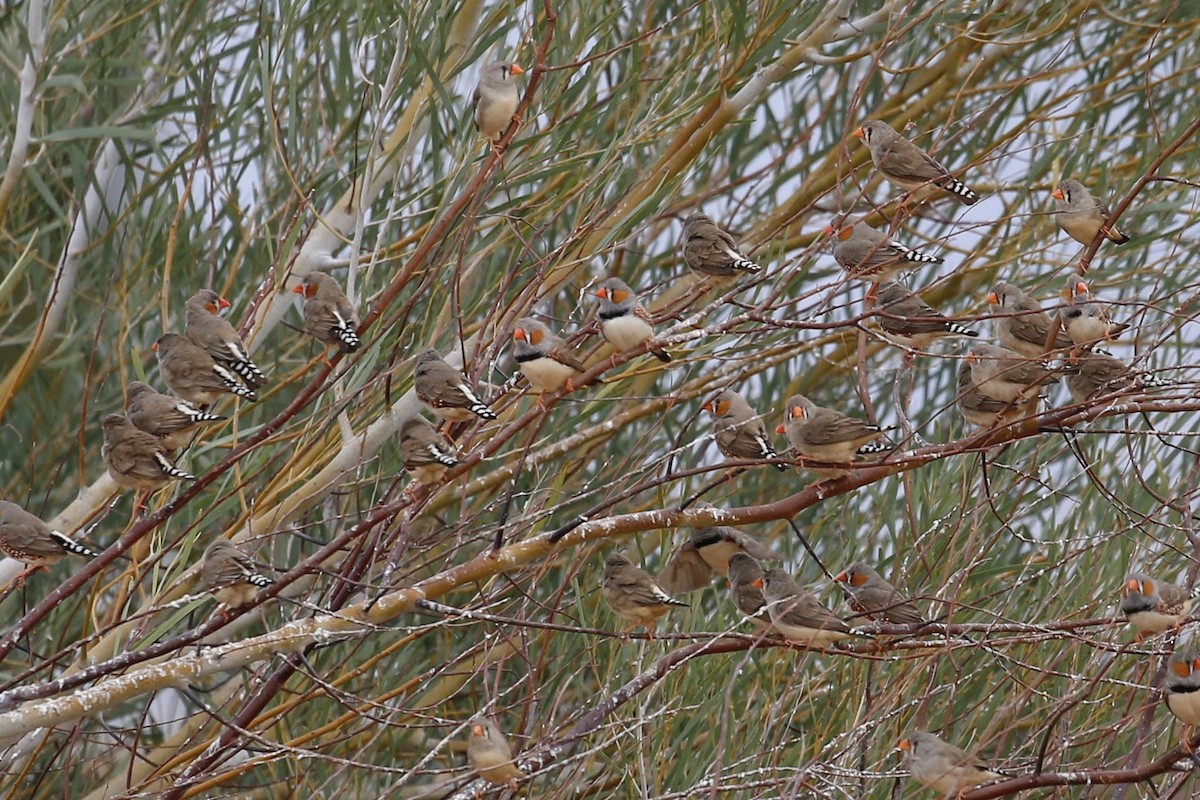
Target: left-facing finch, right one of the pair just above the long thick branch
(829,436)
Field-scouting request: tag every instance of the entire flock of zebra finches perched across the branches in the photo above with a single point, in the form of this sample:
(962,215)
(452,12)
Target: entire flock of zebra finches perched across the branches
(998,384)
